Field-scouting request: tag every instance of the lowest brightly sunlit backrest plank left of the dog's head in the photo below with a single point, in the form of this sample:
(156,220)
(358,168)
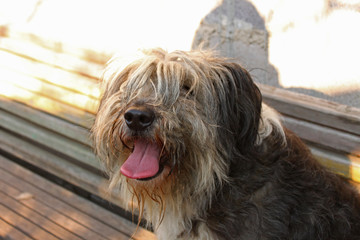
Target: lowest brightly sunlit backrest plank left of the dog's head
(38,87)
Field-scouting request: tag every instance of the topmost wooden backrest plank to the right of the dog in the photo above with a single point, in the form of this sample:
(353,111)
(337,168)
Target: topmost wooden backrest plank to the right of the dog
(313,109)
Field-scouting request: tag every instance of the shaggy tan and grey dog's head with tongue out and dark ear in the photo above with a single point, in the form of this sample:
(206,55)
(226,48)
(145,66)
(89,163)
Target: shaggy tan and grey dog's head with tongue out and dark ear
(168,119)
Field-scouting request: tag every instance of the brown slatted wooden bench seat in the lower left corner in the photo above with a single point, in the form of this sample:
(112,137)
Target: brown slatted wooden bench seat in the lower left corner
(31,207)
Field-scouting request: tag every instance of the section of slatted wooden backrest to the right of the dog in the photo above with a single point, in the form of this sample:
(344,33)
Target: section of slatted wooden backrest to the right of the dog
(331,130)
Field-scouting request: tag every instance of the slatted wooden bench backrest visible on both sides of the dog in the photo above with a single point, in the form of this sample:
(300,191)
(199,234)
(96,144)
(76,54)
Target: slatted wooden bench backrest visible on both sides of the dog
(49,95)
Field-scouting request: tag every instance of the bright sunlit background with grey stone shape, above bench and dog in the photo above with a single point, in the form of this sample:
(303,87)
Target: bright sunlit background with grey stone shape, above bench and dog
(307,46)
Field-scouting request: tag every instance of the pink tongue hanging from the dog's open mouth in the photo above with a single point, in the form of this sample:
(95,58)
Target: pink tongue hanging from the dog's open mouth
(143,162)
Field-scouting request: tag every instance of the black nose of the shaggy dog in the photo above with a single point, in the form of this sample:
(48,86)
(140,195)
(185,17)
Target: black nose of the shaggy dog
(139,118)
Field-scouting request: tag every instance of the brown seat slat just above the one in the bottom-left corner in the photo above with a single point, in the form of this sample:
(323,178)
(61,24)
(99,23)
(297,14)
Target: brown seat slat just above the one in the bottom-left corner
(25,225)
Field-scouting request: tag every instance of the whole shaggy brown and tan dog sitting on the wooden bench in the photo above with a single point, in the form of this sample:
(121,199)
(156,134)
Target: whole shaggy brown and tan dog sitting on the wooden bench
(187,135)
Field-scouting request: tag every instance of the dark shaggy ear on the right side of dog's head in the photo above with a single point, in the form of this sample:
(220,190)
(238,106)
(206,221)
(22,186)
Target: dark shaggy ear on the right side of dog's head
(240,107)
